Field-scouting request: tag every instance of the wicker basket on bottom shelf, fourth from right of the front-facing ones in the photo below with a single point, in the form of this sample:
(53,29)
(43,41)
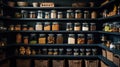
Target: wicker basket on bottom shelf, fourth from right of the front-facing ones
(41,63)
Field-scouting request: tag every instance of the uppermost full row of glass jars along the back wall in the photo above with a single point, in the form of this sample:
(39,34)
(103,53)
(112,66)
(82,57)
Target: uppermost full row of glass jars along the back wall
(56,14)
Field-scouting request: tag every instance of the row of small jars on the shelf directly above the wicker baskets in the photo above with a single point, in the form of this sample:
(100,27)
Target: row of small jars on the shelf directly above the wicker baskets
(56,51)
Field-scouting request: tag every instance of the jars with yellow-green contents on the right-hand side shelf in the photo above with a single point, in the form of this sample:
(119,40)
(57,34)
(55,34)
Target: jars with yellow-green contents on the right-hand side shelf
(112,27)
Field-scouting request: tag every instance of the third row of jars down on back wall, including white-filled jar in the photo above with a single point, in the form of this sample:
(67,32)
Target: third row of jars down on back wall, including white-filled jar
(54,39)
